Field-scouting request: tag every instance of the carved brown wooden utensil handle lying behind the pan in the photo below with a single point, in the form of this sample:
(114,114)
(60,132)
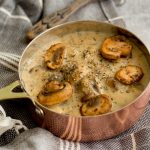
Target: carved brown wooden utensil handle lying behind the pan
(55,18)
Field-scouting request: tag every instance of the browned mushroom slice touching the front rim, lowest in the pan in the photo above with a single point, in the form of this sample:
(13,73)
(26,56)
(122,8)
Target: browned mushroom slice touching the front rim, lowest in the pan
(100,104)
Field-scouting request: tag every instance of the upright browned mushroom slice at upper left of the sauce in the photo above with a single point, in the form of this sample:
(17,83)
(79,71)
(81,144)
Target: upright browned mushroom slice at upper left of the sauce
(54,56)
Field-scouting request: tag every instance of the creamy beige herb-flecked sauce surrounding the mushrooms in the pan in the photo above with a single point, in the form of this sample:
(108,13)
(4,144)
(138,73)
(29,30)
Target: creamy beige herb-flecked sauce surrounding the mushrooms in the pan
(83,48)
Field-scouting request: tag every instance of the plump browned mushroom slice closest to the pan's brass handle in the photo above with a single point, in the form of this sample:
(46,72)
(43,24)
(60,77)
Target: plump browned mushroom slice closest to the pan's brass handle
(55,93)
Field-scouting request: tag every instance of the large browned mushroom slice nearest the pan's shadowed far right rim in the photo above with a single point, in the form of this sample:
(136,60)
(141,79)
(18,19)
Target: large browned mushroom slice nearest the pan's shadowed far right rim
(114,47)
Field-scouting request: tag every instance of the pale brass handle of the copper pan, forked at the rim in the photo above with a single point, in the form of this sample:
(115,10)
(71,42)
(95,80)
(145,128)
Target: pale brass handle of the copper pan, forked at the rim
(12,91)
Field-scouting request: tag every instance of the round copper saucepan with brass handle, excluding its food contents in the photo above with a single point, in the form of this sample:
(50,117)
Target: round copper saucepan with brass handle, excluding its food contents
(81,128)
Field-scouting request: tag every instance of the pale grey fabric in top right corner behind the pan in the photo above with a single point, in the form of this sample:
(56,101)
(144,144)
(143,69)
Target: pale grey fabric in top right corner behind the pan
(136,14)
